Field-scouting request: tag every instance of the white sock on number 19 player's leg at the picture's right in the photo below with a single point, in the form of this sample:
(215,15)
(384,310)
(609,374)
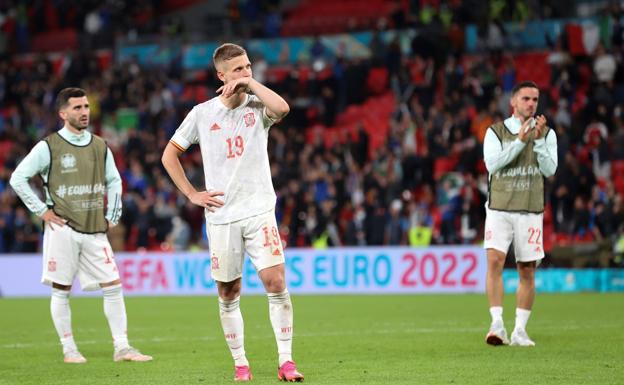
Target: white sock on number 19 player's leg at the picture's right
(281,314)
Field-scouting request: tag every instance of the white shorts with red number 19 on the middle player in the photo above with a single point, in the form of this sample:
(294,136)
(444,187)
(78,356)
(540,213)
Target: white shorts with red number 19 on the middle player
(228,242)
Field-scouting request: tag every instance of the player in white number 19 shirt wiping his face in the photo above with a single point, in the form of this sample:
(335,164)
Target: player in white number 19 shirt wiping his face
(232,130)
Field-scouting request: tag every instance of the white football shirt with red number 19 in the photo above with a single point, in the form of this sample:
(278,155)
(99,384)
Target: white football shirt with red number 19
(233,144)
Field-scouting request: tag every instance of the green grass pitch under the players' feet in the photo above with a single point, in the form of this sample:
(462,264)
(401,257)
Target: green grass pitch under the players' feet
(407,339)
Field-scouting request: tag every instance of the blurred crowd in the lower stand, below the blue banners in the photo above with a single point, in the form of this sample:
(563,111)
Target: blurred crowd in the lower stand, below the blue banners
(422,182)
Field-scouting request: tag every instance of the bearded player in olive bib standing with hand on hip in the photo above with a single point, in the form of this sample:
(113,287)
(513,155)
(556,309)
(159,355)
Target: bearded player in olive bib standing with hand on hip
(78,170)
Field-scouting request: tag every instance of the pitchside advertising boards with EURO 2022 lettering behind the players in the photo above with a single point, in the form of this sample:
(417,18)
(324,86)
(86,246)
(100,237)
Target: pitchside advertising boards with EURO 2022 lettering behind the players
(383,270)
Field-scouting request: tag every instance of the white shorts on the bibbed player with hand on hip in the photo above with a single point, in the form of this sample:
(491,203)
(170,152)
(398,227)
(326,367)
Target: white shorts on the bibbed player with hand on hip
(67,252)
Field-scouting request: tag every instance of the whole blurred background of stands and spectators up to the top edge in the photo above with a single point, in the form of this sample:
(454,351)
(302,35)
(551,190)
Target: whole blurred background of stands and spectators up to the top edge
(381,150)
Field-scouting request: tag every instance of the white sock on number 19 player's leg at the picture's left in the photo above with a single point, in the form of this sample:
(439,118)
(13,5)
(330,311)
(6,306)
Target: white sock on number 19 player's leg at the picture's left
(233,329)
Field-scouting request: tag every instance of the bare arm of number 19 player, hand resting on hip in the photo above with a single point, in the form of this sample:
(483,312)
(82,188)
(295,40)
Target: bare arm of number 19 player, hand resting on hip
(206,199)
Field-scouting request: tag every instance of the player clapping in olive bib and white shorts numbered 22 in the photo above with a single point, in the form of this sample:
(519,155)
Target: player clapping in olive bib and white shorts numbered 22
(519,153)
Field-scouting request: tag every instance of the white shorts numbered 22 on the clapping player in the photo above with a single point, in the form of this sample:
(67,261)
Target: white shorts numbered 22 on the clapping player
(525,230)
